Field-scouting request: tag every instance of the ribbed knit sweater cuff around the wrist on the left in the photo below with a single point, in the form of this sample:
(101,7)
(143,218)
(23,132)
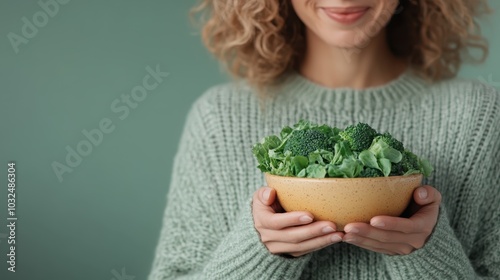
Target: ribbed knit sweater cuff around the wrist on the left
(242,255)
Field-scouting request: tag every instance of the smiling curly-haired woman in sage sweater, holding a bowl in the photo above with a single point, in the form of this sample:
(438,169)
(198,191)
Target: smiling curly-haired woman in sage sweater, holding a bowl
(386,63)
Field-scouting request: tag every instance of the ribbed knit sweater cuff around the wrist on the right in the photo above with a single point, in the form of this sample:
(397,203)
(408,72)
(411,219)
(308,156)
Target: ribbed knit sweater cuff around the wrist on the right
(442,257)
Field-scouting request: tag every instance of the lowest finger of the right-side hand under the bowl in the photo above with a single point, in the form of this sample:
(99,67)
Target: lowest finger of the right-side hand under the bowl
(377,246)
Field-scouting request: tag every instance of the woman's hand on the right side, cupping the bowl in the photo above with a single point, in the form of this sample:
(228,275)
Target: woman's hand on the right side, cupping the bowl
(396,235)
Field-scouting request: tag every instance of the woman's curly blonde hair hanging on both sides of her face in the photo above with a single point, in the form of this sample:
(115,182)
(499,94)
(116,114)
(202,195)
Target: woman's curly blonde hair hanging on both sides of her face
(260,40)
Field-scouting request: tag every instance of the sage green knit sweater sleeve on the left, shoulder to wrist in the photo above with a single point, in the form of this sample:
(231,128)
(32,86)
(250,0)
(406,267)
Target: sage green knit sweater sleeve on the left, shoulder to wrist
(198,240)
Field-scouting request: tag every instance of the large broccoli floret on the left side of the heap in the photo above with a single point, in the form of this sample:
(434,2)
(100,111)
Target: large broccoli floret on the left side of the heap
(304,142)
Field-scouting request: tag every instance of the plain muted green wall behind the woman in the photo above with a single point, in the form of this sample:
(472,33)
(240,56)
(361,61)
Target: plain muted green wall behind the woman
(105,215)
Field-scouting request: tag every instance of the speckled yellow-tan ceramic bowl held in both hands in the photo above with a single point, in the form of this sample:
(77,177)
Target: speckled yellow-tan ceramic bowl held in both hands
(345,200)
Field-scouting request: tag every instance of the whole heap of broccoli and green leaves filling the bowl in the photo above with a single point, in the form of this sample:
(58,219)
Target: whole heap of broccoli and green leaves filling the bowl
(319,151)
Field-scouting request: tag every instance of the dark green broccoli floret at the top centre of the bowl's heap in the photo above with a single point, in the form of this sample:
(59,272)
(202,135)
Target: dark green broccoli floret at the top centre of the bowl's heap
(359,136)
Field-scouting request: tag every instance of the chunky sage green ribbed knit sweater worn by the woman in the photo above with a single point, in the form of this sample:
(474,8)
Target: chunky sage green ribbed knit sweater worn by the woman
(208,230)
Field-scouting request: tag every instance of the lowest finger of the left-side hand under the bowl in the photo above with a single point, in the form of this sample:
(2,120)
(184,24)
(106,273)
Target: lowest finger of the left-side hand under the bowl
(299,249)
